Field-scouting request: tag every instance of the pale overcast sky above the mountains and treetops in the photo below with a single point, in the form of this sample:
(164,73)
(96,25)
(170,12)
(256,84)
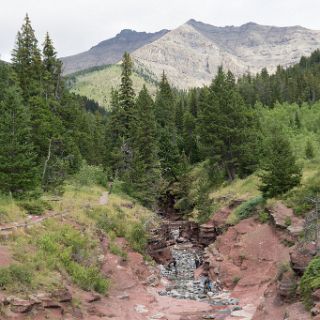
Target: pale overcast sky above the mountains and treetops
(76,25)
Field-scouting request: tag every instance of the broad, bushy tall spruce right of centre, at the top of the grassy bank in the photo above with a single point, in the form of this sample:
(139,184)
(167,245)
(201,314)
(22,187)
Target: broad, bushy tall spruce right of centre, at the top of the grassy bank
(225,125)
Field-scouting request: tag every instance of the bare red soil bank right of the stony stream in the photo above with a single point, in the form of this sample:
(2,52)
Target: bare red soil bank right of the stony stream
(246,259)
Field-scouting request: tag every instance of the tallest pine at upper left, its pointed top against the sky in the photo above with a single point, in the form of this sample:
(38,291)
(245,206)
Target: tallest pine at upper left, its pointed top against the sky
(26,61)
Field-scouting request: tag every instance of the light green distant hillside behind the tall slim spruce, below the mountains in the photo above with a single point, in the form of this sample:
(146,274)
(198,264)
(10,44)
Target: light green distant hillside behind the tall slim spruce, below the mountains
(97,83)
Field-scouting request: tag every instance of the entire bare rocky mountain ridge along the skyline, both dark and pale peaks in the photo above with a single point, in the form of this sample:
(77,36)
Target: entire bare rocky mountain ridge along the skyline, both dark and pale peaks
(192,53)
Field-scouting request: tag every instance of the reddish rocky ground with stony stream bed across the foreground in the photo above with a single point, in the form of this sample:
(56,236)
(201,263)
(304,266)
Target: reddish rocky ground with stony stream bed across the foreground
(243,263)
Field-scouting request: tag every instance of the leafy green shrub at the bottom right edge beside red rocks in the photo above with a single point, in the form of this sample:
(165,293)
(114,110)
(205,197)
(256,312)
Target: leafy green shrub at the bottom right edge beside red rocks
(310,281)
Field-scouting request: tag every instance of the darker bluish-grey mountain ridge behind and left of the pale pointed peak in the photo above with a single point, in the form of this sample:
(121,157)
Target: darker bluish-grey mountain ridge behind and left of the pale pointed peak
(110,51)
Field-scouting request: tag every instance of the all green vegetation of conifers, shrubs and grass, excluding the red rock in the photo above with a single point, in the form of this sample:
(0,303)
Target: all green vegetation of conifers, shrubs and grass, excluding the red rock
(190,153)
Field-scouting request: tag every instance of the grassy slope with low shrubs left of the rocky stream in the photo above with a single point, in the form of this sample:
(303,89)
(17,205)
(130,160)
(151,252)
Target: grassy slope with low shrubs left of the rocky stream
(49,254)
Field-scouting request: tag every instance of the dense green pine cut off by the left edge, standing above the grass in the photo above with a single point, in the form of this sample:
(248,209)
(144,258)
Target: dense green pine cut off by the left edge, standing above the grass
(18,171)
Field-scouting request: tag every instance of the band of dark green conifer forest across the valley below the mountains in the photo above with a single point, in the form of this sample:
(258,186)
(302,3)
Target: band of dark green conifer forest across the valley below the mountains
(148,143)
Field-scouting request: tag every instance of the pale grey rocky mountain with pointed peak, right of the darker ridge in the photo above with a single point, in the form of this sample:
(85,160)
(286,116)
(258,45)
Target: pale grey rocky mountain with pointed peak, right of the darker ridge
(192,53)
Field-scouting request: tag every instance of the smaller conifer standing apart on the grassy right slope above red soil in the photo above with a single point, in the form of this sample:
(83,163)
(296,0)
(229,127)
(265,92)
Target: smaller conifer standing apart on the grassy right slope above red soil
(280,173)
